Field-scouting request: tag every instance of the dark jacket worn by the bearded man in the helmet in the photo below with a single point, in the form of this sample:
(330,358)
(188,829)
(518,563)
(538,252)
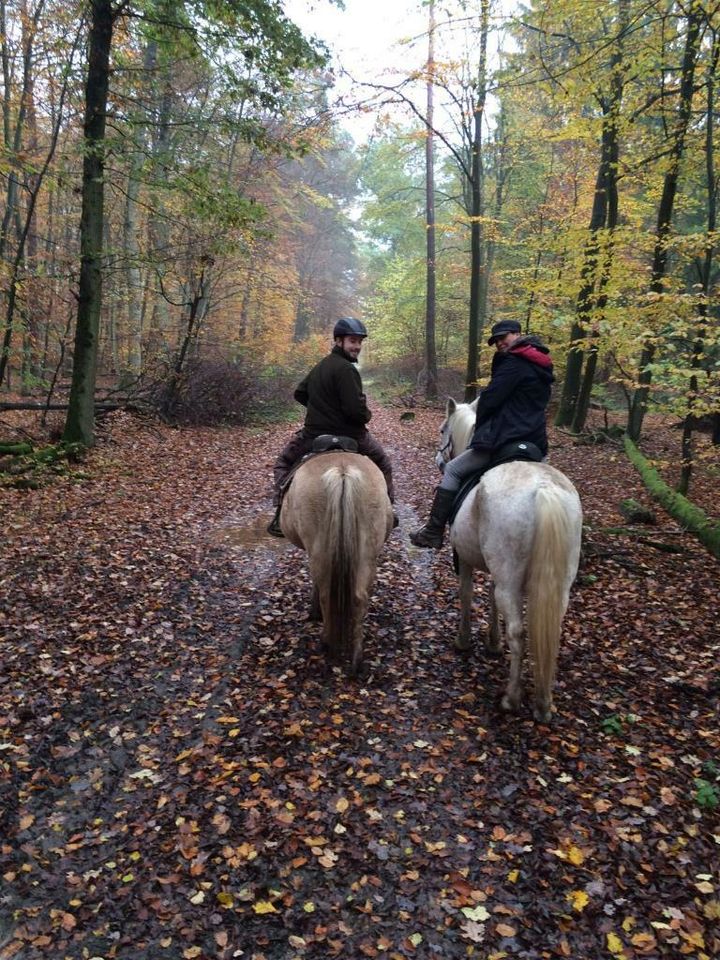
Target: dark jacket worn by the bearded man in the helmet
(332,393)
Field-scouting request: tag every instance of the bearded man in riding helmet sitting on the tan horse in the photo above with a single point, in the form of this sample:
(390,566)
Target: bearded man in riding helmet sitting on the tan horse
(333,395)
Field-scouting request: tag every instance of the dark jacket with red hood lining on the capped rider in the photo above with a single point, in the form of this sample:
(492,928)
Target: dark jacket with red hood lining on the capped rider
(513,405)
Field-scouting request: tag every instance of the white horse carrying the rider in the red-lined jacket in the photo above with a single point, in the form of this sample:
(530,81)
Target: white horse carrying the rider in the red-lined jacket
(522,524)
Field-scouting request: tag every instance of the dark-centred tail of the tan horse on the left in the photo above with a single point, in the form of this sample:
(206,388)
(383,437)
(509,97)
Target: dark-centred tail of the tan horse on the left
(342,540)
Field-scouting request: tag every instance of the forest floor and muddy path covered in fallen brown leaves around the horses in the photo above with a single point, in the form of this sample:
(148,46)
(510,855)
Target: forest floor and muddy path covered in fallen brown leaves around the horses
(181,775)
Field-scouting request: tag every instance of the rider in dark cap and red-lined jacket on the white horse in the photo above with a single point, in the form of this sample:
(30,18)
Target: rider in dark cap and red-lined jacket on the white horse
(511,407)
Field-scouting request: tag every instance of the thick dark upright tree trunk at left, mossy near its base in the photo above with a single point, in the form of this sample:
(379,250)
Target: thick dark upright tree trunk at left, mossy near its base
(80,423)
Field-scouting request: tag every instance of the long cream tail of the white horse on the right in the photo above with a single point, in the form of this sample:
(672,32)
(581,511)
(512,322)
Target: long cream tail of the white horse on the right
(548,585)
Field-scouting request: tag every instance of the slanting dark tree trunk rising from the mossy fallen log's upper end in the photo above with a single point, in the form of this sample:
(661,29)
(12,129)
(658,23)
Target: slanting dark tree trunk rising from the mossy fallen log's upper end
(638,407)
